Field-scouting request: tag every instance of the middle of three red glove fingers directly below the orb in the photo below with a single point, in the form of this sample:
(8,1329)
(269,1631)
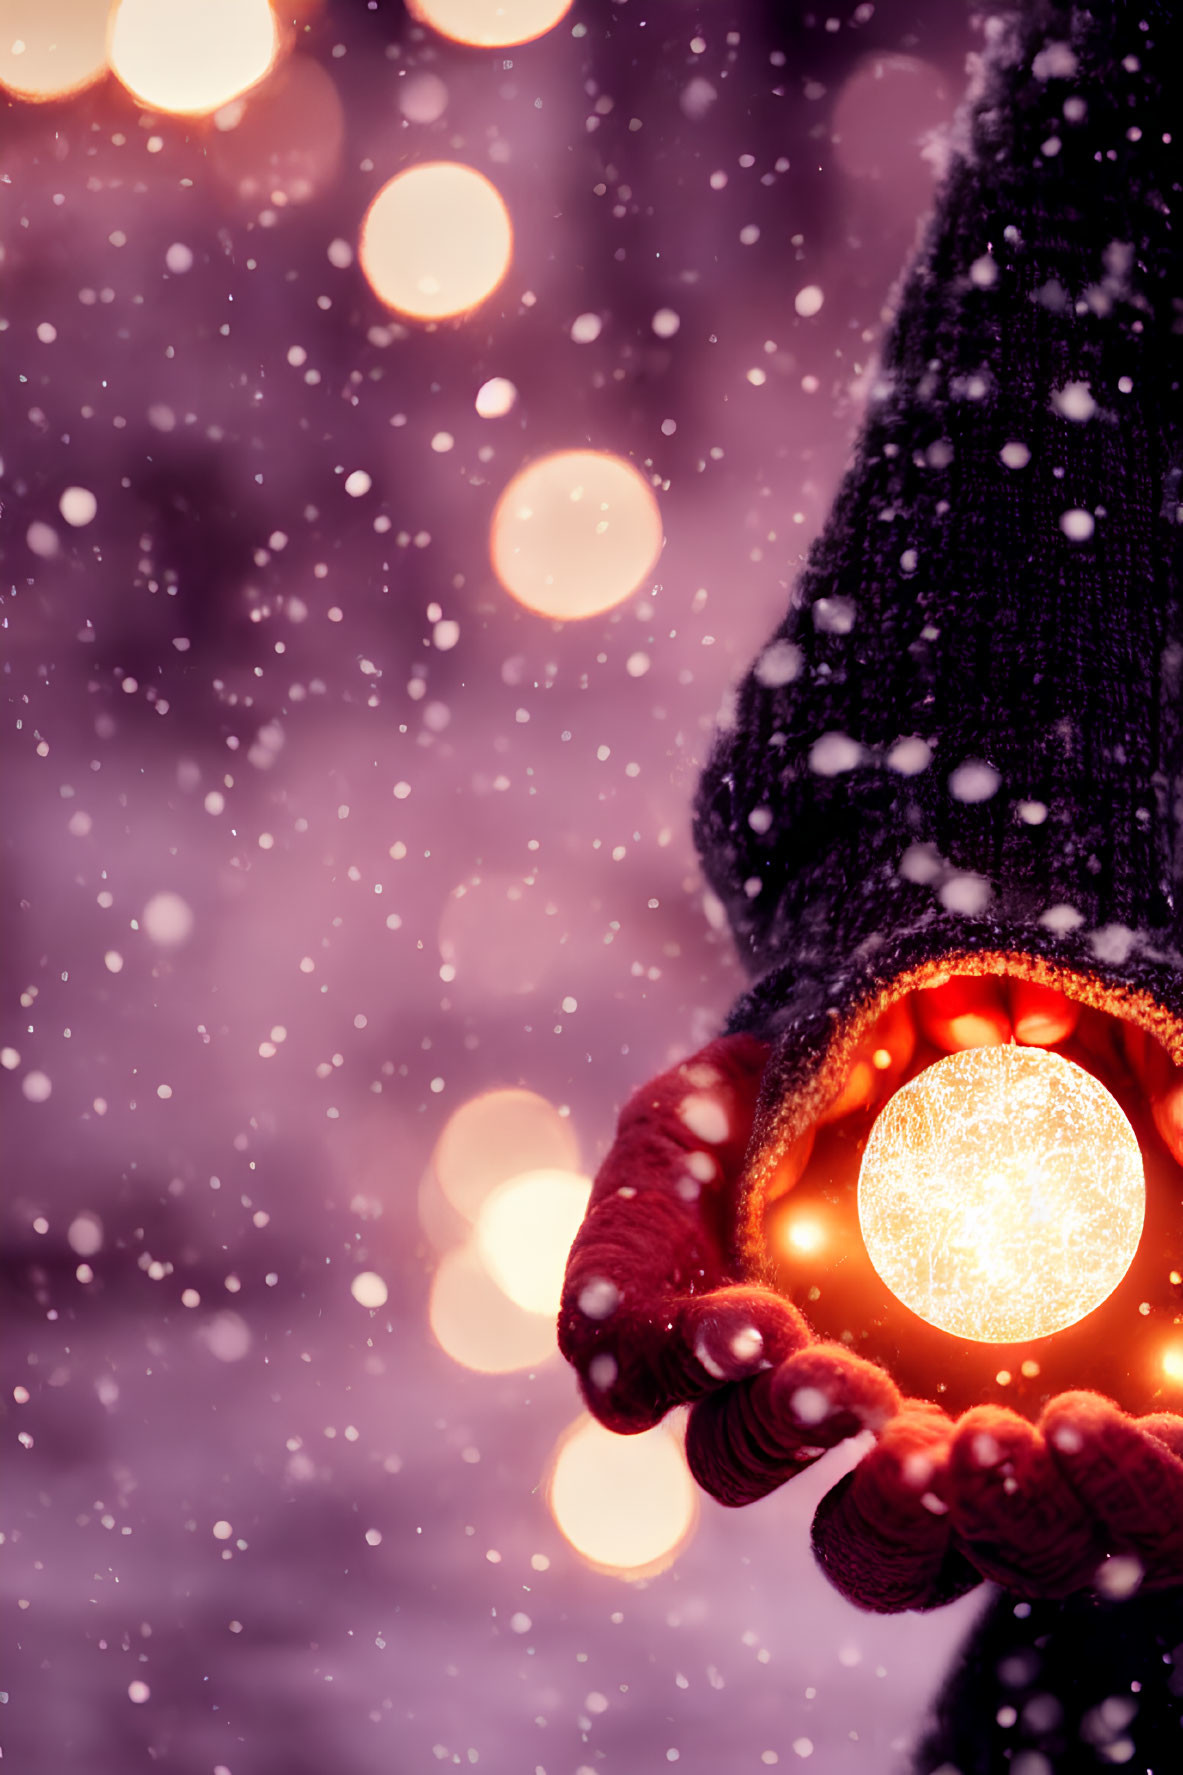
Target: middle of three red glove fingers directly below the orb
(1012,1510)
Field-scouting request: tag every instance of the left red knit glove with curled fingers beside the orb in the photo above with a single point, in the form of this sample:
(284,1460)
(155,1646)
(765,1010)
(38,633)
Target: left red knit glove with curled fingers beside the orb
(651,1320)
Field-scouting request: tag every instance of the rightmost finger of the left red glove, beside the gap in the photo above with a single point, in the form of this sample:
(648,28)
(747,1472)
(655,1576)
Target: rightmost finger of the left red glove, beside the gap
(749,1439)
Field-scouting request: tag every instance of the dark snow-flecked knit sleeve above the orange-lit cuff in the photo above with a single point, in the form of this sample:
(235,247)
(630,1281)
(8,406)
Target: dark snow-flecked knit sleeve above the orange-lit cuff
(965,732)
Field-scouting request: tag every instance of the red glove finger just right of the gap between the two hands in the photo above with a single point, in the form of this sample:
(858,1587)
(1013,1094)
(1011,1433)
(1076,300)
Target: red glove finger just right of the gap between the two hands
(882,1534)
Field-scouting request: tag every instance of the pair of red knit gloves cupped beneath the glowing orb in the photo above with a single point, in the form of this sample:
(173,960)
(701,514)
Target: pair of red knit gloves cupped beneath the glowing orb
(651,1321)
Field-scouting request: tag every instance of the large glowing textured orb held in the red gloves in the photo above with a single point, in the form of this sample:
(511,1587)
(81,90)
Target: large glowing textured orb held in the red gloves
(1001,1194)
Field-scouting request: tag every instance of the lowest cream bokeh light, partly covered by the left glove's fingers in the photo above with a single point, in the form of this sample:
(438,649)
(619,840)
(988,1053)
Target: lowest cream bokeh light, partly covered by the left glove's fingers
(624,1503)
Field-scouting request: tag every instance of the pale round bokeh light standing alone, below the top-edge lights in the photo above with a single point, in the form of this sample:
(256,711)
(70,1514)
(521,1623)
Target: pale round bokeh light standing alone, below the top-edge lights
(436,241)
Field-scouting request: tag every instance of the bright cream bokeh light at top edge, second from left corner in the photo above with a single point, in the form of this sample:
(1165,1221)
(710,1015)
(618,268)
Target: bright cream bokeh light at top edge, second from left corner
(191,56)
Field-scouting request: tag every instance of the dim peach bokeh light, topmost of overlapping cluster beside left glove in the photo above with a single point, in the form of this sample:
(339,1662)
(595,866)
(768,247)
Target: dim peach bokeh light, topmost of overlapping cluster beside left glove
(496,1137)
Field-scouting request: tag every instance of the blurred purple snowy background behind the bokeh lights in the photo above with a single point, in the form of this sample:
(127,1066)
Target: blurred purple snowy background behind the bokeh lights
(314,837)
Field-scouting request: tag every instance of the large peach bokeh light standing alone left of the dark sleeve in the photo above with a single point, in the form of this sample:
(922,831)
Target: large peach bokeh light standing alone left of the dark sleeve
(576,533)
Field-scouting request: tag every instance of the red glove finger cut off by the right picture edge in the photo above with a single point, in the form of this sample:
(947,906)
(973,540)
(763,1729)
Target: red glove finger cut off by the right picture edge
(1125,1478)
